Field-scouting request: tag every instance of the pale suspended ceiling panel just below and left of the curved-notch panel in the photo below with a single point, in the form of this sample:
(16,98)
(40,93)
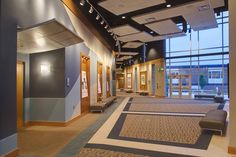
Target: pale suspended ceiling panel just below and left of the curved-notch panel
(134,37)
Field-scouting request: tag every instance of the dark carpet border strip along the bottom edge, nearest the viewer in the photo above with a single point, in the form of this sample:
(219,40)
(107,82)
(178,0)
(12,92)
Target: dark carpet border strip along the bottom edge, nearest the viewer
(135,151)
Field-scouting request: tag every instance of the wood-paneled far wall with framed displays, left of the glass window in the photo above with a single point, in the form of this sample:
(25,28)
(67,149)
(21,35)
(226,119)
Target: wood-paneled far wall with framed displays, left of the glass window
(144,80)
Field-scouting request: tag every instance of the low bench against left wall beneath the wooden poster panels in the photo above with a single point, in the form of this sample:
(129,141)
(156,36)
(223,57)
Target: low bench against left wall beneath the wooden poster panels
(102,105)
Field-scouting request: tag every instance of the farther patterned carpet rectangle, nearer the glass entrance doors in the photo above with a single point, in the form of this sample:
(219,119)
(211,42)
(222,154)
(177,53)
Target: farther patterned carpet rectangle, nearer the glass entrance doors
(171,105)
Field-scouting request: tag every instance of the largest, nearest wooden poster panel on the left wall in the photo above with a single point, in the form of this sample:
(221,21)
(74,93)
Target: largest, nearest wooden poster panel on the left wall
(85,84)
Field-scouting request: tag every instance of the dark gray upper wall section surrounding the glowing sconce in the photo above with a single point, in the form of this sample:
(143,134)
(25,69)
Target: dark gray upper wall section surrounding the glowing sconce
(51,85)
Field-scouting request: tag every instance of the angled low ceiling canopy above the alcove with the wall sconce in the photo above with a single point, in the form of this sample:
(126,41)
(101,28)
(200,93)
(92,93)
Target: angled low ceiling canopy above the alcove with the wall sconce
(45,36)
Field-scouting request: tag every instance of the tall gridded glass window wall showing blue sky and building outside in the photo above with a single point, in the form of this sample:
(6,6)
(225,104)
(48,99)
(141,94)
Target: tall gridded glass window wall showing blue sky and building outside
(204,55)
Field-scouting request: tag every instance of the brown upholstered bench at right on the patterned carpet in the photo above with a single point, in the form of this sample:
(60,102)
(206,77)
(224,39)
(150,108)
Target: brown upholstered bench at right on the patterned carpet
(214,120)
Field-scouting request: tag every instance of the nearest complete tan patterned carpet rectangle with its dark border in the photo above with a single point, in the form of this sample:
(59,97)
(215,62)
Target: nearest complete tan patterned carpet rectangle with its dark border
(181,131)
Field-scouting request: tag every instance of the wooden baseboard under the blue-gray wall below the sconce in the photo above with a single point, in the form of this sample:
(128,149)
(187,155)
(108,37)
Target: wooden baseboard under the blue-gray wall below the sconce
(57,124)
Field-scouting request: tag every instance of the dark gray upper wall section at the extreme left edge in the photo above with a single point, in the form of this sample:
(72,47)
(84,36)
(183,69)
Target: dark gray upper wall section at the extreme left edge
(8,73)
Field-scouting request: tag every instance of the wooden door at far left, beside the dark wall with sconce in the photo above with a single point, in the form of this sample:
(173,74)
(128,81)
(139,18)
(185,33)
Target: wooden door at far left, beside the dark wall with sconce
(19,94)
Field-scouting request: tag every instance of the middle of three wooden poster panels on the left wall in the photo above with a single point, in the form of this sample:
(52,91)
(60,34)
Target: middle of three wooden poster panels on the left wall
(99,81)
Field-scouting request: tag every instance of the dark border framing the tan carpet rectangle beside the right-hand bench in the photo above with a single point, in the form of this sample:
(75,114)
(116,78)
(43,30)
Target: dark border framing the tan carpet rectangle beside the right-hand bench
(202,142)
